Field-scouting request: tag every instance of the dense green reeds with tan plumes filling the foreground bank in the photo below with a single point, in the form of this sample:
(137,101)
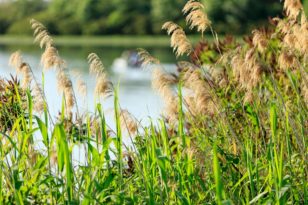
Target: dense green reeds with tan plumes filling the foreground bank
(233,131)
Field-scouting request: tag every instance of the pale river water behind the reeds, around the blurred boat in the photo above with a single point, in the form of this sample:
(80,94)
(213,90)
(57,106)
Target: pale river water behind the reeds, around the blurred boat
(135,92)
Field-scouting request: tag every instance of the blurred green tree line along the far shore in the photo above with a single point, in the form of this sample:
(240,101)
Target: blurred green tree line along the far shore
(98,17)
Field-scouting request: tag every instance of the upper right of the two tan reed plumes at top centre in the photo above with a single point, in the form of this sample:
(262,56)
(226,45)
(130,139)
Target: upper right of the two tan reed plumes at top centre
(196,16)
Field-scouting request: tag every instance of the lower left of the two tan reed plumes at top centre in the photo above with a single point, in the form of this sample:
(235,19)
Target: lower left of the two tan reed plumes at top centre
(179,41)
